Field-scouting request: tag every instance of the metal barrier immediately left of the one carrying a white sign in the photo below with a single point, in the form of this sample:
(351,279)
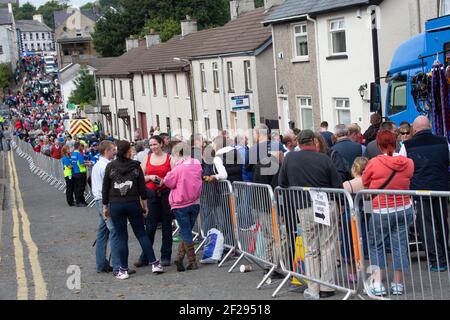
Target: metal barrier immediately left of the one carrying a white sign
(256,225)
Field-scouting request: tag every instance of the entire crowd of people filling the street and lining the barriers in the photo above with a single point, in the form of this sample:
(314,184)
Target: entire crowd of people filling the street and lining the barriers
(157,180)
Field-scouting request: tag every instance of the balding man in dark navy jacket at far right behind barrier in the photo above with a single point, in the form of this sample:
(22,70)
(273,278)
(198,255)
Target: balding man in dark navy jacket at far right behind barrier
(431,158)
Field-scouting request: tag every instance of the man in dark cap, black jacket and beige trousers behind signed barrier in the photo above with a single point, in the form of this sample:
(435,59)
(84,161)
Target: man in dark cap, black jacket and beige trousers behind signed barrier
(309,168)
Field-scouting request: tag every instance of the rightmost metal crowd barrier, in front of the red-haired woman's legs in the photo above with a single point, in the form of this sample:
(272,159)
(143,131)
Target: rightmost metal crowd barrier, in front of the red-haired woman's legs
(407,244)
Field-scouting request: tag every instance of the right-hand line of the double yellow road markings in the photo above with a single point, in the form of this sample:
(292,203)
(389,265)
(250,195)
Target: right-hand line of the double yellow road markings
(40,286)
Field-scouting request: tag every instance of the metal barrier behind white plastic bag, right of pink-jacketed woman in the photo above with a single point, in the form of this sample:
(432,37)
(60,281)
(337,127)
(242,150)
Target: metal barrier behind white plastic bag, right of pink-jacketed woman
(216,211)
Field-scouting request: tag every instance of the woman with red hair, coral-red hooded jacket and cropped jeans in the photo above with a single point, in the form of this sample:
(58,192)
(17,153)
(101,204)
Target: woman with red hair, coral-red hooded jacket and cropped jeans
(391,214)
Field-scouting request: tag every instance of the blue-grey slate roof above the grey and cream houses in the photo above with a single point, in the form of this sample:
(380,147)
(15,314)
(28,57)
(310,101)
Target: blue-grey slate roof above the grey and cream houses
(294,8)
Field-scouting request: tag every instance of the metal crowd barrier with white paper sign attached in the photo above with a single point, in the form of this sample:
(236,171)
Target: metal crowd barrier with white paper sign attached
(317,245)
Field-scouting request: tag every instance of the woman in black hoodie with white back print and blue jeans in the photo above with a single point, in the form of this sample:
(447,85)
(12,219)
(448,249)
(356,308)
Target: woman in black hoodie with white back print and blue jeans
(124,199)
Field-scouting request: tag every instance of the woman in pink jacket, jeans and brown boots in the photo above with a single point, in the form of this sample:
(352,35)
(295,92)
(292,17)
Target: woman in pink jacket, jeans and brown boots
(185,182)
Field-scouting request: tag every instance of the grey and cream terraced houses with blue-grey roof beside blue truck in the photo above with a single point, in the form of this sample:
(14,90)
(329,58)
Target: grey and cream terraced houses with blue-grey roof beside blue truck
(324,54)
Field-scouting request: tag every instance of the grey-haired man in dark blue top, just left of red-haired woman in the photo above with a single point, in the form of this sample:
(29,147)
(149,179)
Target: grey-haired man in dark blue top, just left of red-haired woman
(344,152)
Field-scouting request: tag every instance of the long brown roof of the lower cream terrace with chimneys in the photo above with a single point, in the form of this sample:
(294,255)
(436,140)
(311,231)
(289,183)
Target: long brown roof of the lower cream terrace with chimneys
(244,34)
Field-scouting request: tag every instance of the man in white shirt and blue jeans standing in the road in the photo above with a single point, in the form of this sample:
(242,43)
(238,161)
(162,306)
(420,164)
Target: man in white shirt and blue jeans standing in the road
(105,227)
